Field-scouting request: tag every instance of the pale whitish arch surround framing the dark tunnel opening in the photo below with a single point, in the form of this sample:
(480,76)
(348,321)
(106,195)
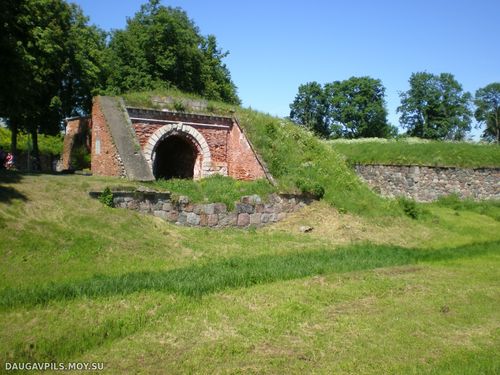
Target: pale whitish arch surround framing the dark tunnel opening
(190,134)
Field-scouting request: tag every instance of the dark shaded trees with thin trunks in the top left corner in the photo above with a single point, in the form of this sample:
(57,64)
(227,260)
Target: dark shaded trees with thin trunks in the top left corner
(47,71)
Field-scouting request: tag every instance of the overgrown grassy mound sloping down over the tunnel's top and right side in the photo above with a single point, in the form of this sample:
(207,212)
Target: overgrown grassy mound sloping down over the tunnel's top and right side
(298,160)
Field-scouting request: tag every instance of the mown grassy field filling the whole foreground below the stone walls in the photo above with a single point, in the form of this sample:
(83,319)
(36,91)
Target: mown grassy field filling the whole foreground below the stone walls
(360,294)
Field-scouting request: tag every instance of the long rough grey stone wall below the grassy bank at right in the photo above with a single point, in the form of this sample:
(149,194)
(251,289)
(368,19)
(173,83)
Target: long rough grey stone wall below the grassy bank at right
(425,184)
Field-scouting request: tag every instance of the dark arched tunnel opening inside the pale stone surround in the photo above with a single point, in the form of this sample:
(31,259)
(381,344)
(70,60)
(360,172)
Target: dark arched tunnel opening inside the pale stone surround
(175,157)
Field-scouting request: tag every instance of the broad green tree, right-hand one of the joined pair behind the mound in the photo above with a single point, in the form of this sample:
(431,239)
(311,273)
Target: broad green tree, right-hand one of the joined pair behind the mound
(357,108)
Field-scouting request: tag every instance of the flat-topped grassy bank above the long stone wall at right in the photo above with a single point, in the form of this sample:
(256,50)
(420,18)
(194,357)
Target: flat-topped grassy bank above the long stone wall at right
(418,152)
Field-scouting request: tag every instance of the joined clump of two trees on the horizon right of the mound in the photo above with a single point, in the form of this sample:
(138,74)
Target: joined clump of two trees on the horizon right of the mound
(352,108)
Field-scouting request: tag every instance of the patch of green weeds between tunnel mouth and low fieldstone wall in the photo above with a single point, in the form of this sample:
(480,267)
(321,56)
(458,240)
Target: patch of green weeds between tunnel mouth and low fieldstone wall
(216,189)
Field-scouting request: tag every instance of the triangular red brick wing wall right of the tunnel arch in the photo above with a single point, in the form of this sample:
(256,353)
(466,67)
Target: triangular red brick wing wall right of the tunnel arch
(242,162)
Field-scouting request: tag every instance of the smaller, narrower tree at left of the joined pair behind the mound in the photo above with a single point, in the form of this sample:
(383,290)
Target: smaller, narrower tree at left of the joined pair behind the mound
(310,109)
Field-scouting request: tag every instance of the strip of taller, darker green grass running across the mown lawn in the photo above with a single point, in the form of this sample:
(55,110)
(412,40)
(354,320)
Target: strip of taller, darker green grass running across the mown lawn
(199,280)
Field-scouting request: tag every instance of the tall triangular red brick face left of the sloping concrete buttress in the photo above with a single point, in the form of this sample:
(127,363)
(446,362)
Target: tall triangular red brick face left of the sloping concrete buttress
(107,162)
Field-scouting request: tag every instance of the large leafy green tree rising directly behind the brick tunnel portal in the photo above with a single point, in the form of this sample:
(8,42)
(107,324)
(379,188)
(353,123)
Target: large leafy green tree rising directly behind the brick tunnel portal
(161,46)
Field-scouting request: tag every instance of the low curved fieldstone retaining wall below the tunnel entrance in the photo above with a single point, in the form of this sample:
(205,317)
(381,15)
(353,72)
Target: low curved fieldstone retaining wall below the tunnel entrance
(249,211)
